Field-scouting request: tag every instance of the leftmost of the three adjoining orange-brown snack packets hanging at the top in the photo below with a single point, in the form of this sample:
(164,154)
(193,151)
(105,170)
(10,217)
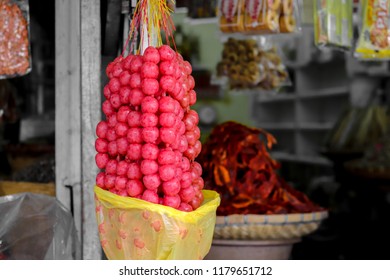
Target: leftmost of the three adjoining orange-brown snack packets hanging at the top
(231,17)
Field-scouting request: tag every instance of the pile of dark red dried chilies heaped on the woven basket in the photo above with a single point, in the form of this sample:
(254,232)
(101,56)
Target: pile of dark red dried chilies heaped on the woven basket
(237,165)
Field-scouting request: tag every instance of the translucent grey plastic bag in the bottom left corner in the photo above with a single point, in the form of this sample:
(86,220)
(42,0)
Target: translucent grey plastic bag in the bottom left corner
(36,226)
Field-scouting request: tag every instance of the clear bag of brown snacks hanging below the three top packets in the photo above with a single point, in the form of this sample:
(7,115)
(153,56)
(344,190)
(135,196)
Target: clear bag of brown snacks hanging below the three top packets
(252,64)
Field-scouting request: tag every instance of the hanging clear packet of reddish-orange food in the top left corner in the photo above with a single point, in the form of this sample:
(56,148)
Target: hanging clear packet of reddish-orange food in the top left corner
(15,58)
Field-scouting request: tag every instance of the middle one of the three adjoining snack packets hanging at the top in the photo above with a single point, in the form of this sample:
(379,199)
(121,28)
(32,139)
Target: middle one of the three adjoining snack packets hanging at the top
(262,17)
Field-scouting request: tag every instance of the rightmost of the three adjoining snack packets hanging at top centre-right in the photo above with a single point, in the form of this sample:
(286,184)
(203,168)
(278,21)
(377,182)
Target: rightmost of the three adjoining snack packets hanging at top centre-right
(289,16)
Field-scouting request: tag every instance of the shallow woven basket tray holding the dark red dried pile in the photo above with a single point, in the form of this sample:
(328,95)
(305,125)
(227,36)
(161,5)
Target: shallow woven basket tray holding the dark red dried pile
(267,227)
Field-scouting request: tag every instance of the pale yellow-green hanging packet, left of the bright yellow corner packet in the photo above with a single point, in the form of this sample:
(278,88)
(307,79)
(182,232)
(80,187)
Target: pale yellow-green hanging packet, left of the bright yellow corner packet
(333,23)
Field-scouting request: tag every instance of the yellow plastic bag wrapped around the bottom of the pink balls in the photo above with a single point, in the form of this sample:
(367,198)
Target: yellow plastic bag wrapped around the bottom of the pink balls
(135,229)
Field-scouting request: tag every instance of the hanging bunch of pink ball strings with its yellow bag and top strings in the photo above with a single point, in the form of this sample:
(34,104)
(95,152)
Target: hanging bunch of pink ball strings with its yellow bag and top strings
(149,194)
